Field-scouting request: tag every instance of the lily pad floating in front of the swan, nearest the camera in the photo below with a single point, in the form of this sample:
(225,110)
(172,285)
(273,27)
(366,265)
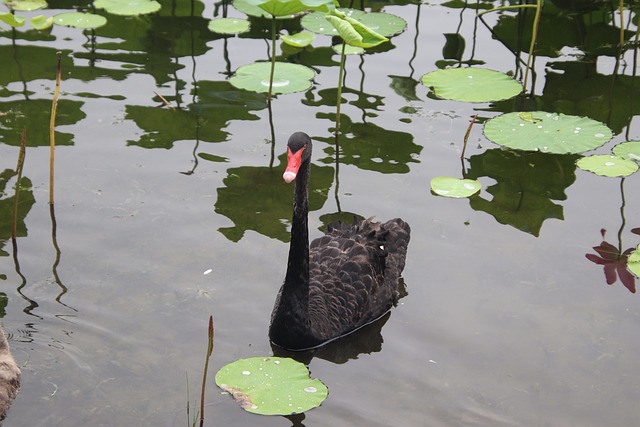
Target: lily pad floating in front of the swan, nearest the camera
(271,385)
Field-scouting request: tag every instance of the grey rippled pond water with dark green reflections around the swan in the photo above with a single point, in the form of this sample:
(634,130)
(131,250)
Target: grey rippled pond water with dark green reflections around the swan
(164,218)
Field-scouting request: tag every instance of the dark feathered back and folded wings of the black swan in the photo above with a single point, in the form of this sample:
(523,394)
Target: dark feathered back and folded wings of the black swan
(354,275)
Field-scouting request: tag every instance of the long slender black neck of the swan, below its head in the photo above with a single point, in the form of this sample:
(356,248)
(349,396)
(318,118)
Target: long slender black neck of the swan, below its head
(297,278)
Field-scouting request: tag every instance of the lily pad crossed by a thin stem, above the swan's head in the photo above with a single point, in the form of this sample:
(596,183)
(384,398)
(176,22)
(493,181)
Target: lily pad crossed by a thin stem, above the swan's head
(287,78)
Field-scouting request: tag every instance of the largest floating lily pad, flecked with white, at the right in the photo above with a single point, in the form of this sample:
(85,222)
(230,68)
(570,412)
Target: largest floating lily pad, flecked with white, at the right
(547,132)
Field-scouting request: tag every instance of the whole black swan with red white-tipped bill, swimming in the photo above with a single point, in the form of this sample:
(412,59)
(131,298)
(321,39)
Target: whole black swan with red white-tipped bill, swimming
(345,280)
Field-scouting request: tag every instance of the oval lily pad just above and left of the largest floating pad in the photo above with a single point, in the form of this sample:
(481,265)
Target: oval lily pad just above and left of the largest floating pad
(472,84)
